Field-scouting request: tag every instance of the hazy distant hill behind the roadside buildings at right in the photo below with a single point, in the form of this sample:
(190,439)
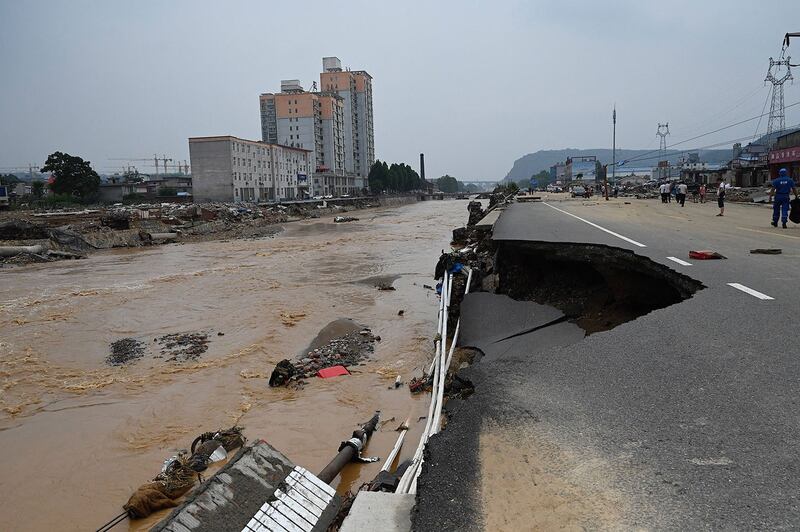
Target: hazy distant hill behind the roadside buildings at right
(533,163)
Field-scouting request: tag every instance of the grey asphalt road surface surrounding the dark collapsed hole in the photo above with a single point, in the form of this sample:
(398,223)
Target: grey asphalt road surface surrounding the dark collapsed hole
(691,409)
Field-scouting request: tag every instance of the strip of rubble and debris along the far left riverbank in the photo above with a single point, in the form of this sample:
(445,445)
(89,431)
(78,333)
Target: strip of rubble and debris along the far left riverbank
(29,237)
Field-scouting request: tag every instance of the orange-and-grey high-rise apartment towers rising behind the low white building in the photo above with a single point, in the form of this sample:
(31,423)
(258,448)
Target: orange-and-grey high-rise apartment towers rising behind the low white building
(335,124)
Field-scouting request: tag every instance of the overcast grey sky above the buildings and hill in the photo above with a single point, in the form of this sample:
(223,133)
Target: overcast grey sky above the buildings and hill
(474,85)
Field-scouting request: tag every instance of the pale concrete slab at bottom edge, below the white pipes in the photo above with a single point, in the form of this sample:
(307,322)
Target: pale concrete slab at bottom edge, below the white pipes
(375,510)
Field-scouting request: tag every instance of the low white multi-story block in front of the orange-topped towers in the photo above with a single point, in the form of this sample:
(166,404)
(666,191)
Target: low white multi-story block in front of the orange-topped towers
(227,168)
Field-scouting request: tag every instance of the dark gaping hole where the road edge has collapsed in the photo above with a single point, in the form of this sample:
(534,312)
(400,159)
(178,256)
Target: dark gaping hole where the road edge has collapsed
(597,287)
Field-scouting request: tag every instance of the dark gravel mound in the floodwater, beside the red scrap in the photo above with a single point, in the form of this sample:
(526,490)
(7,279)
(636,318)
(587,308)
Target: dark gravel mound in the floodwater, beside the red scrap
(347,350)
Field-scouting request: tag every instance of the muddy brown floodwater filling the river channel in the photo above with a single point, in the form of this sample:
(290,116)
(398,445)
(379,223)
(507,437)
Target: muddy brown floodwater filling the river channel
(78,436)
